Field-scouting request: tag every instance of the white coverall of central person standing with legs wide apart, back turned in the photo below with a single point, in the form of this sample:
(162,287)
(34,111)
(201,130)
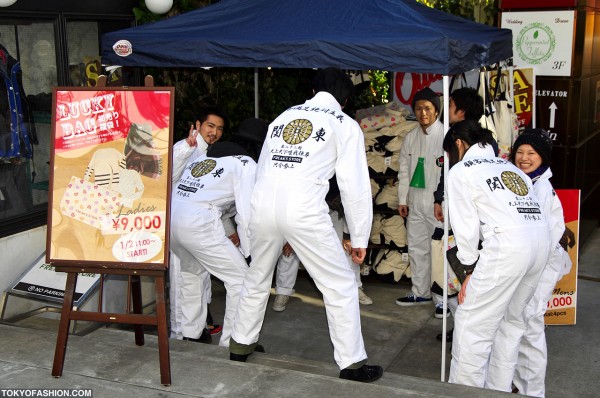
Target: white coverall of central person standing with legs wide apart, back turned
(305,146)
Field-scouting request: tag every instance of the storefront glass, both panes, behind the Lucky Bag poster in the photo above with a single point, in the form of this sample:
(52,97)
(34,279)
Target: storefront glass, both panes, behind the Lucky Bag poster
(29,53)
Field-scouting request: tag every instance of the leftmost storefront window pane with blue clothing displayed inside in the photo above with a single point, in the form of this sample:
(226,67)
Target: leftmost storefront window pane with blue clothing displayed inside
(28,69)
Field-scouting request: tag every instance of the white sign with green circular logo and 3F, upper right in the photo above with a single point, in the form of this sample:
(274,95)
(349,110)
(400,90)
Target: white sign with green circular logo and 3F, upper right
(542,39)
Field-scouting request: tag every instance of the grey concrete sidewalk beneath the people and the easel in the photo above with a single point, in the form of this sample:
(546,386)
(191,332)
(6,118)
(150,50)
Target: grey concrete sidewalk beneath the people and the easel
(299,358)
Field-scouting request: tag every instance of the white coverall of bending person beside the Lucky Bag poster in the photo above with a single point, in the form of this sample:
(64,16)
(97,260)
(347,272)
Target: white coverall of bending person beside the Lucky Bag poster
(208,188)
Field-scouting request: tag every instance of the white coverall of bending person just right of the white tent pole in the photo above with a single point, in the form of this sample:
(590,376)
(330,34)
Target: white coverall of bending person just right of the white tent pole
(489,196)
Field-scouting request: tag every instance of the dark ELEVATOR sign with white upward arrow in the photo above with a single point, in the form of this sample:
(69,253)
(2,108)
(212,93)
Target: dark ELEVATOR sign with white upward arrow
(552,101)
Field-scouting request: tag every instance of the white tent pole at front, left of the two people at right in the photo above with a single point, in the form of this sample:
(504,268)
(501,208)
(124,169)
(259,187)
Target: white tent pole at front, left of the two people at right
(445,81)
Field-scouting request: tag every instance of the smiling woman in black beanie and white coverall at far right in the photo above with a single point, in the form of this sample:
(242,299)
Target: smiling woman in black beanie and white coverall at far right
(531,153)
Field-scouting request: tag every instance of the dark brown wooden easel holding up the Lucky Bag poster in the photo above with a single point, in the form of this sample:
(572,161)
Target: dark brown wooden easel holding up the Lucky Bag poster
(135,317)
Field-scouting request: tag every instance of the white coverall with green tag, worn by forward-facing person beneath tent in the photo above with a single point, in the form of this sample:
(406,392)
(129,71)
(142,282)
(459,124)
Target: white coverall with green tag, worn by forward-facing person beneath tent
(421,223)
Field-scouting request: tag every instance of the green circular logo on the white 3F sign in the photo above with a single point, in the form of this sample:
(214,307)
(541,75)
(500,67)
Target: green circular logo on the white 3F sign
(536,43)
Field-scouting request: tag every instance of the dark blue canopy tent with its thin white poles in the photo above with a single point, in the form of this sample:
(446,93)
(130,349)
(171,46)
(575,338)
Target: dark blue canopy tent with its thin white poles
(393,35)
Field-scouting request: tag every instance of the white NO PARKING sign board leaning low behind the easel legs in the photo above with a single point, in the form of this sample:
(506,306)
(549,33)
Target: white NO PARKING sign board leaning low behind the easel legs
(43,282)
